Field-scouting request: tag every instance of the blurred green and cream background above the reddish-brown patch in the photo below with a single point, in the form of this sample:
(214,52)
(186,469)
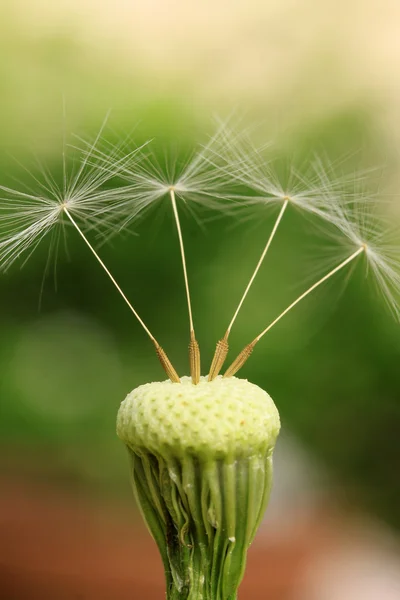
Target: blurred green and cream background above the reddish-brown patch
(332,367)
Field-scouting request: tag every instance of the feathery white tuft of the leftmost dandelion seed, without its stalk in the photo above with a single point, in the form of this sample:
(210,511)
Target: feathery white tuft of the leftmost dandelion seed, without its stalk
(26,217)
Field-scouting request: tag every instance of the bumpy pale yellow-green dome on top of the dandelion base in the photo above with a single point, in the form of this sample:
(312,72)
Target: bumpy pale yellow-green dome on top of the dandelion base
(223,417)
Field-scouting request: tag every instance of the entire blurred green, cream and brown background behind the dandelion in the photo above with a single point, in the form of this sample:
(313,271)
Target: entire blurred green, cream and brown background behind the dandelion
(316,78)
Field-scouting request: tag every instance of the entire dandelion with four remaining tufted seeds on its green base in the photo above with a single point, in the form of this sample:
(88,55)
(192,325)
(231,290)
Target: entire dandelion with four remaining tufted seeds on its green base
(201,446)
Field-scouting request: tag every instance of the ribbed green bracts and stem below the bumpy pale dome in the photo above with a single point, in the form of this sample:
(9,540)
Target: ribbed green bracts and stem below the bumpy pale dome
(203,516)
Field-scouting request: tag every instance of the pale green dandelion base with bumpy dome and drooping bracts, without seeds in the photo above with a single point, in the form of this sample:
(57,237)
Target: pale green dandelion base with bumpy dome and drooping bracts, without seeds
(202,473)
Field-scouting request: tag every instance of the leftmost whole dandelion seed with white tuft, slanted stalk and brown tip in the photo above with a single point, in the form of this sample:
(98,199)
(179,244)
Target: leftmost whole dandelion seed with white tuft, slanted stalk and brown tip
(26,218)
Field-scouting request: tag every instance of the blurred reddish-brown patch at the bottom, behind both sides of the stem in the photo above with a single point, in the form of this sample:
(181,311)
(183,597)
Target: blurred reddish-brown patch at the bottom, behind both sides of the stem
(64,546)
